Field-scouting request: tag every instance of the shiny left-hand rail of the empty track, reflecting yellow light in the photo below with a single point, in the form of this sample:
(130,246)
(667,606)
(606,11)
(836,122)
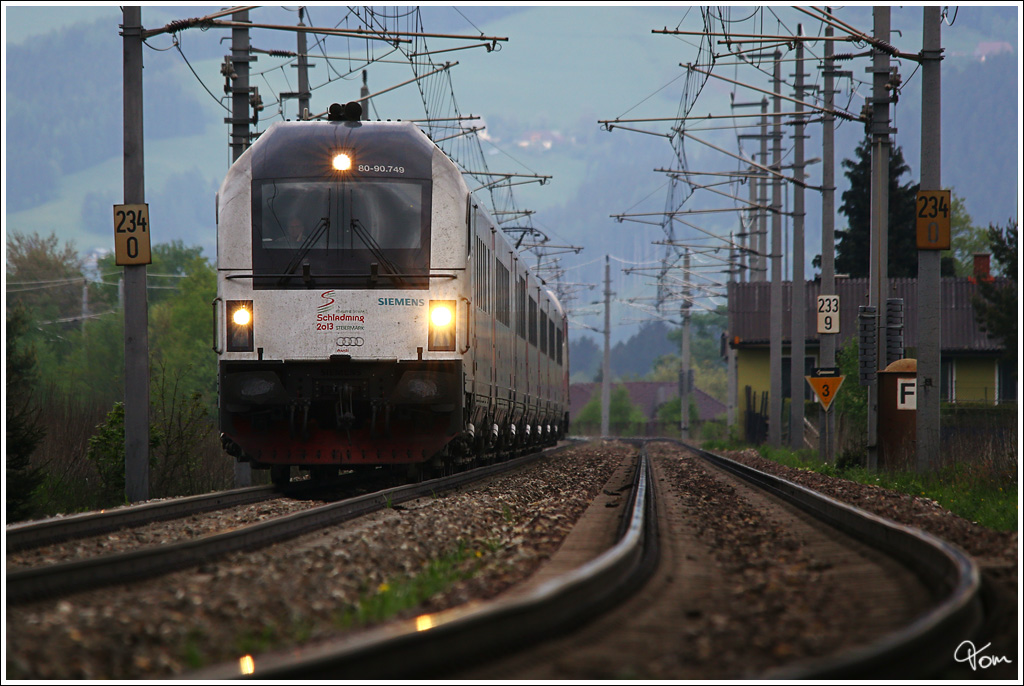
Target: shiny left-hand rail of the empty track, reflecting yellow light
(430,646)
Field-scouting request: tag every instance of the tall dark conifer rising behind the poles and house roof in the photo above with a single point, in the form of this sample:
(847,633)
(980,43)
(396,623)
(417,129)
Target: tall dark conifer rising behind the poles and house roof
(854,244)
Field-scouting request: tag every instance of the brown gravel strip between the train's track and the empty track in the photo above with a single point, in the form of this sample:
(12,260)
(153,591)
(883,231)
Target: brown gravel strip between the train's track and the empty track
(292,593)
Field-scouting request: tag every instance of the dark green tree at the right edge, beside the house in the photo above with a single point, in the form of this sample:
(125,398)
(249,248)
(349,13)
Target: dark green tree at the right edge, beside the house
(996,305)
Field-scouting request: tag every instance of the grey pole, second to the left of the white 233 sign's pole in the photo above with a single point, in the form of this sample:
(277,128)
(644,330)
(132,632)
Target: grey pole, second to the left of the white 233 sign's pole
(776,296)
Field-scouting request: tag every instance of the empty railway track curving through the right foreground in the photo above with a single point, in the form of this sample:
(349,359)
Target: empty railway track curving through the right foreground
(608,607)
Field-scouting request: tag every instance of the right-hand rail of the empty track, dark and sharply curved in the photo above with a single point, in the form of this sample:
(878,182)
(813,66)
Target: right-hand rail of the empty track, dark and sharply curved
(926,646)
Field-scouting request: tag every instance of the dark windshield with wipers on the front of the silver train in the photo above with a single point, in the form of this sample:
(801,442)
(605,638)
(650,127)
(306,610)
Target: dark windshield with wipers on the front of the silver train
(356,234)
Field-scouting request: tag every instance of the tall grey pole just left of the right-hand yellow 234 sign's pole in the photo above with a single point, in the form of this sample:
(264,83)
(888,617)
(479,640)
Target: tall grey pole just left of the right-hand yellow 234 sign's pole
(879,273)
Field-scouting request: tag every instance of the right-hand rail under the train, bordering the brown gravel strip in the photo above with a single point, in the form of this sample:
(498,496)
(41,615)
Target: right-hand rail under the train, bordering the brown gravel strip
(28,584)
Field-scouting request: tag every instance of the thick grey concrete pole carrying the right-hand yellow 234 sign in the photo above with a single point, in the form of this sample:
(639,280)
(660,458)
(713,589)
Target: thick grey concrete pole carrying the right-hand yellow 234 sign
(929,275)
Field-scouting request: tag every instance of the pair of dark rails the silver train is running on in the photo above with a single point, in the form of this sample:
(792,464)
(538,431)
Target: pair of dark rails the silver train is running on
(34,583)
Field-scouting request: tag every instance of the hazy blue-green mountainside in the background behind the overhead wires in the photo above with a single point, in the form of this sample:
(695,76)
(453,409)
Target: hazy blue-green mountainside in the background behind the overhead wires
(541,96)
